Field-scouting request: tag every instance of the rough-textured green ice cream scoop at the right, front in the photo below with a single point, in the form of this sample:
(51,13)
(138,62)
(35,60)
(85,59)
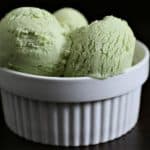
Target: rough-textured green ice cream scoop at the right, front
(104,48)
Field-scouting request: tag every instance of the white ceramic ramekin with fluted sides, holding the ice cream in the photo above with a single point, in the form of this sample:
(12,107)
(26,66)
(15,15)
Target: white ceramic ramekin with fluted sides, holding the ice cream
(74,111)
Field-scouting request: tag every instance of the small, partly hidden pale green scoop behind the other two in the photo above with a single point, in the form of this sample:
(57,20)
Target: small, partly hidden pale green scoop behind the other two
(70,18)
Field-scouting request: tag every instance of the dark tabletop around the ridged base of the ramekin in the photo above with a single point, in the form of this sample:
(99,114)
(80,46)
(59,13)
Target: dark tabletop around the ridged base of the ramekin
(137,139)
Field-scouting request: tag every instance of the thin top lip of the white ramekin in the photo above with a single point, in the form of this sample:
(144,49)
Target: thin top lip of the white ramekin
(41,77)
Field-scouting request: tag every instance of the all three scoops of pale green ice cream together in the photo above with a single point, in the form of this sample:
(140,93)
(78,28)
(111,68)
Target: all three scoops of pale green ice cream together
(32,40)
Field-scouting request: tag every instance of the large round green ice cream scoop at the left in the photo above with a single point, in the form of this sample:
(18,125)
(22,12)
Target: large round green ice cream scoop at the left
(32,41)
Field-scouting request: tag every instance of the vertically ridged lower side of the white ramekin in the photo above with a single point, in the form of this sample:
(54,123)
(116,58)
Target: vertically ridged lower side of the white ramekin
(71,124)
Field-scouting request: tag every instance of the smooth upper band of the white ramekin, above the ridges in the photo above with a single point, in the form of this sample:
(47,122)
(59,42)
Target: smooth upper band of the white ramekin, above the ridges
(80,89)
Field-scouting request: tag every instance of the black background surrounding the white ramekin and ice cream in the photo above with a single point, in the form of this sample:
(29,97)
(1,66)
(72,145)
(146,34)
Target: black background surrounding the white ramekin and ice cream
(138,16)
